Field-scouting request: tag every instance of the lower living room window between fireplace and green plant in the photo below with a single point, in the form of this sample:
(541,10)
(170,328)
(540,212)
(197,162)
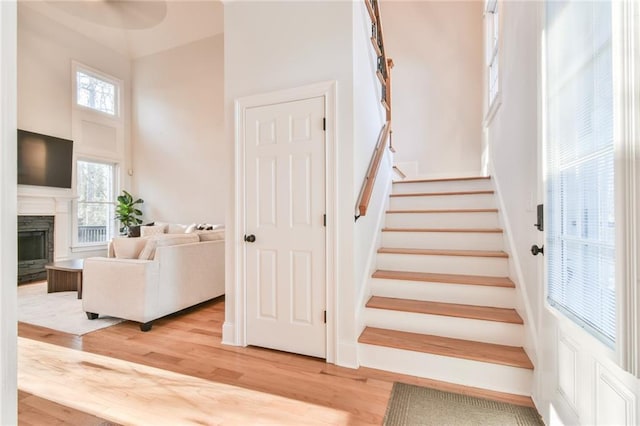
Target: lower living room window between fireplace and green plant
(96,202)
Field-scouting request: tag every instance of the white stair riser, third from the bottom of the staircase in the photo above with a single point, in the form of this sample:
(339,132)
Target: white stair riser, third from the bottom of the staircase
(479,295)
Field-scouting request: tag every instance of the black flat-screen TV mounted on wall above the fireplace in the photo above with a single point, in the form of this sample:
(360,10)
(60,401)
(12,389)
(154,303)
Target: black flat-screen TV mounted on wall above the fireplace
(44,160)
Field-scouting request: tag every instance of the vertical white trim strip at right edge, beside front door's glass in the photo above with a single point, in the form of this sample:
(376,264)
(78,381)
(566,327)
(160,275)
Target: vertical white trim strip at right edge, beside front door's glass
(626,62)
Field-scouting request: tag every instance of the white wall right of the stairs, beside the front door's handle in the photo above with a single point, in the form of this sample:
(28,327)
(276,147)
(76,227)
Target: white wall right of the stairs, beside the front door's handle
(513,135)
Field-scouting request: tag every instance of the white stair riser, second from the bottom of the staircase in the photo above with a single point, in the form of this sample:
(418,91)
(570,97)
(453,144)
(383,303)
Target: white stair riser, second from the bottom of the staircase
(458,328)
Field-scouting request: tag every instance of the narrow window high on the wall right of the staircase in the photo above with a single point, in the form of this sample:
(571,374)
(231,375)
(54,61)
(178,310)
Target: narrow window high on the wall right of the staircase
(492,33)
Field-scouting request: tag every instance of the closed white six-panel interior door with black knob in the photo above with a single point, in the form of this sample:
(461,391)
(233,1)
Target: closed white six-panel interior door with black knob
(284,212)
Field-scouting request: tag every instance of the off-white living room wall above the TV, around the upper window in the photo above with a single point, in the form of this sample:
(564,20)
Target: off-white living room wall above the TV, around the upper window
(45,51)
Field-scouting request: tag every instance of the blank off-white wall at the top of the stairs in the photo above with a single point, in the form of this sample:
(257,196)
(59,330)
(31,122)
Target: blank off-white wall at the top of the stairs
(437,83)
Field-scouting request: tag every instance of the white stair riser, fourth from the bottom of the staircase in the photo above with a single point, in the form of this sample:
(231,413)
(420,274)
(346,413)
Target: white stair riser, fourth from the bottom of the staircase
(465,265)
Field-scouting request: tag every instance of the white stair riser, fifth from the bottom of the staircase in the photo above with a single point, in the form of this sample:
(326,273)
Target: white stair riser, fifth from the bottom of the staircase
(444,240)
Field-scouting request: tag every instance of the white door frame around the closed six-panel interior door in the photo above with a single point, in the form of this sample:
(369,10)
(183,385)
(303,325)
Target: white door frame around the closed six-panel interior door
(328,91)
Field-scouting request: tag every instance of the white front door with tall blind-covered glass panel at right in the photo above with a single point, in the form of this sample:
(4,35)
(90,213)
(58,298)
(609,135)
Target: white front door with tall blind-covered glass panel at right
(582,378)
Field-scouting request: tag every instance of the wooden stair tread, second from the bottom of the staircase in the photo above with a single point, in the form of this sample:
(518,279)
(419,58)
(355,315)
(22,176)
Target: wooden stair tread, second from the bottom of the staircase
(485,313)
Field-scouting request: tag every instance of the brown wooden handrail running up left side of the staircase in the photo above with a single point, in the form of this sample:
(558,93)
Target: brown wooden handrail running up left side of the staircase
(383,72)
